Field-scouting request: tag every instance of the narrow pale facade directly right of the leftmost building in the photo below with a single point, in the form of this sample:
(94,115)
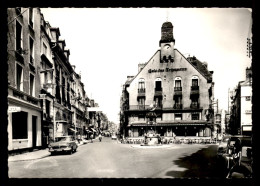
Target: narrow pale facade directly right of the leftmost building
(47,93)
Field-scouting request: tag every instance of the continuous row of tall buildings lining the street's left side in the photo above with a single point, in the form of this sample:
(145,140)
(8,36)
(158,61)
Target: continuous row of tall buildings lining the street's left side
(46,97)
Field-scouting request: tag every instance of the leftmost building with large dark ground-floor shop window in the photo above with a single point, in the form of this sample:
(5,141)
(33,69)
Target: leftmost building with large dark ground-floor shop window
(24,63)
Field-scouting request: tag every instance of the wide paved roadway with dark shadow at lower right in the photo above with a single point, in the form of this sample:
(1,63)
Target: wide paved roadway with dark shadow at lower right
(109,159)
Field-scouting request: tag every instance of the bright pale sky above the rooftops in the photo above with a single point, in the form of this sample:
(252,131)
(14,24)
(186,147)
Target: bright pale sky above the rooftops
(107,44)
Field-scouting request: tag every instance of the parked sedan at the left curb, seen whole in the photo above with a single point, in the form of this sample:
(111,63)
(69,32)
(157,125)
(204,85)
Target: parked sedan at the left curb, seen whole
(65,144)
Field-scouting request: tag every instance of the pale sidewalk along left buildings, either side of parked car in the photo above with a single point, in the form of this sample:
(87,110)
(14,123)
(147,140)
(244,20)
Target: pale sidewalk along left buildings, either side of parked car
(37,154)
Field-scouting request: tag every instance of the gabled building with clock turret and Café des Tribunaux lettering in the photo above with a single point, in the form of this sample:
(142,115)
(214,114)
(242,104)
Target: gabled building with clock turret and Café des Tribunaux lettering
(170,95)
